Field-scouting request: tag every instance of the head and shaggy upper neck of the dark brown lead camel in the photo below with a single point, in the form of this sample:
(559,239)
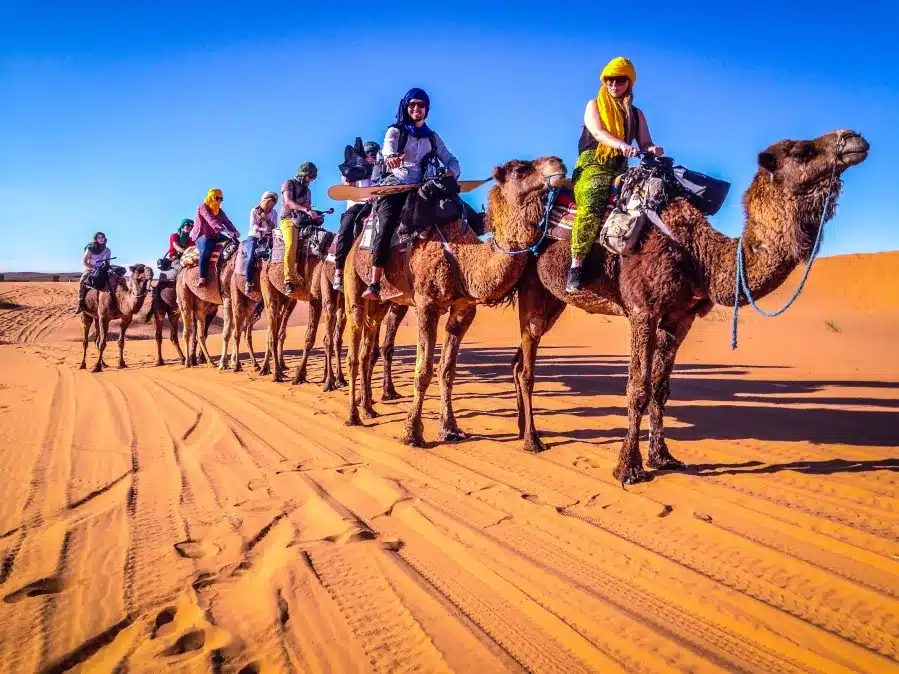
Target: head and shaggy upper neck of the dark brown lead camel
(788,198)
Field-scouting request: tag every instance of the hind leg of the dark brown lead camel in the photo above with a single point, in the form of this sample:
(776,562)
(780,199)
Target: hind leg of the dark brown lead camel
(538,311)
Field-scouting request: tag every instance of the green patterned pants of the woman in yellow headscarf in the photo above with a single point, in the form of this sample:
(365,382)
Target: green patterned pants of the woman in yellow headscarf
(592,180)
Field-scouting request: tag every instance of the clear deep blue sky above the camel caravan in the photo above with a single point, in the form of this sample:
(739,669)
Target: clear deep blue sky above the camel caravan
(119,117)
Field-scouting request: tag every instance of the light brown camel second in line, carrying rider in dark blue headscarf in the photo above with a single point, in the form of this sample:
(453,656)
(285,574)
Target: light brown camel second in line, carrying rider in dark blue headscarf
(435,281)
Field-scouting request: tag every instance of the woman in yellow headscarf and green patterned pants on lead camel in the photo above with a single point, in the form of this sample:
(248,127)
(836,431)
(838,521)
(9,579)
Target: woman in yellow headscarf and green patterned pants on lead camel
(611,124)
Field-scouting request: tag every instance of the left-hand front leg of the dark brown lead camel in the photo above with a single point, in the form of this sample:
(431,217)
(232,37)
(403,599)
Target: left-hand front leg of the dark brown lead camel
(639,387)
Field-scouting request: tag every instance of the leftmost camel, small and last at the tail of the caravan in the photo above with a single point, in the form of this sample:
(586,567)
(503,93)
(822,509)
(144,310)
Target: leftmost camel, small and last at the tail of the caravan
(101,308)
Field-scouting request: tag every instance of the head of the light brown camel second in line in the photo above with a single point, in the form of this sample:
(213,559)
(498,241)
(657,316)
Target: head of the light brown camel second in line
(521,188)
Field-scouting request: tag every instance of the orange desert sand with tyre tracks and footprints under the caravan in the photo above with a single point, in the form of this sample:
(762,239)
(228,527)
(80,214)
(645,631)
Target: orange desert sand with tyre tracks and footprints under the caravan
(165,519)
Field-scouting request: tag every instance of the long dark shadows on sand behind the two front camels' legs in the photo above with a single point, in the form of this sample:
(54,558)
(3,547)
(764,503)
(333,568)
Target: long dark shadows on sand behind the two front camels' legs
(708,402)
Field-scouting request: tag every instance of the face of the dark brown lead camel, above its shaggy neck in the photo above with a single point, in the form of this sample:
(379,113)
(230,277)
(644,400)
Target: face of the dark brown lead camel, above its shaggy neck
(801,166)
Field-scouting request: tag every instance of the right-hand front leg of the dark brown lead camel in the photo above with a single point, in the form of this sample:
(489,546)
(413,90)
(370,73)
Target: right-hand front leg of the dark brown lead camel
(669,337)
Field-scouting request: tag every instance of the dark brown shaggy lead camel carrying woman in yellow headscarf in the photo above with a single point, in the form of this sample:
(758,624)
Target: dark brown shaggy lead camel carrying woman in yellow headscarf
(667,283)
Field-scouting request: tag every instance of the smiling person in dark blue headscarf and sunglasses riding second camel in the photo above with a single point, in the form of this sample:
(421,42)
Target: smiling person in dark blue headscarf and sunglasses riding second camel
(409,150)
